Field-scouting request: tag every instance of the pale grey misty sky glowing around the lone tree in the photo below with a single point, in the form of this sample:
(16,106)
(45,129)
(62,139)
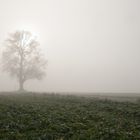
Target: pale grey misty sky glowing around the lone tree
(90,45)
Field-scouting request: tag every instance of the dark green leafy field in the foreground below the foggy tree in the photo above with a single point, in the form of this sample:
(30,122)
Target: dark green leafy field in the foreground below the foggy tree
(65,117)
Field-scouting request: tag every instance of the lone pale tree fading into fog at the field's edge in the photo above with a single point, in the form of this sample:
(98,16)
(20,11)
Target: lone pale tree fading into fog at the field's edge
(22,58)
